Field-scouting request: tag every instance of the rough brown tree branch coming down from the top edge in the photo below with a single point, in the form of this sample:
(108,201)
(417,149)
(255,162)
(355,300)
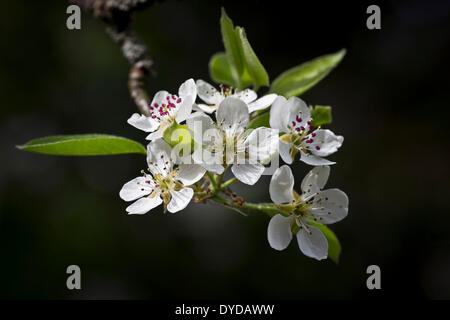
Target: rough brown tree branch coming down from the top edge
(117,16)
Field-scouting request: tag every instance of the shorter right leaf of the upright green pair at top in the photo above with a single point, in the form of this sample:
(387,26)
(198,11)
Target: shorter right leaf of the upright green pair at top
(252,63)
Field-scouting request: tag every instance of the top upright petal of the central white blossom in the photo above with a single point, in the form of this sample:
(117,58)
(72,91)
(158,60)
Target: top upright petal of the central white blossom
(232,114)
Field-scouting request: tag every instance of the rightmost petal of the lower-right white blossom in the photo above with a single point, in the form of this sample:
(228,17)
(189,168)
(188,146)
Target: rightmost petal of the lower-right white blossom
(330,206)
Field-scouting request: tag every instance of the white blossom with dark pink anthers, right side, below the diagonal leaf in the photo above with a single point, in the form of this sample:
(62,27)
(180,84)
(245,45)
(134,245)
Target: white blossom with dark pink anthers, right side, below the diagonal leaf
(293,117)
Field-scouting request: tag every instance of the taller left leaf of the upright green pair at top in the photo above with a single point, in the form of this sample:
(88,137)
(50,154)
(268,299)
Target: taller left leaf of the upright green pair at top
(231,47)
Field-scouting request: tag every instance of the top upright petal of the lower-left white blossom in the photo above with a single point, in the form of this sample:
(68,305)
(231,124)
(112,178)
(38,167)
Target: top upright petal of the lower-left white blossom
(159,157)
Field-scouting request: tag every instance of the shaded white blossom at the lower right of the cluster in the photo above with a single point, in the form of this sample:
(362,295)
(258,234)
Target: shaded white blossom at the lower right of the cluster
(314,204)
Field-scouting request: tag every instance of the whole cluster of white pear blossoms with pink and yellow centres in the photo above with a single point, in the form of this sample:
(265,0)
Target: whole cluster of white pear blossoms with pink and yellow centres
(217,121)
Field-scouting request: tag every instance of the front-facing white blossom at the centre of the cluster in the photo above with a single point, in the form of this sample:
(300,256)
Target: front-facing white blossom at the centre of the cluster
(227,142)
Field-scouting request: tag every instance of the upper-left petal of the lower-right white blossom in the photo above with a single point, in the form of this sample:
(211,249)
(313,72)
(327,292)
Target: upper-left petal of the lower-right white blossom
(282,185)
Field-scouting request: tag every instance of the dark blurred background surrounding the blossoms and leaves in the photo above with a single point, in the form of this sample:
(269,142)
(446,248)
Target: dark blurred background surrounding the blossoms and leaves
(390,99)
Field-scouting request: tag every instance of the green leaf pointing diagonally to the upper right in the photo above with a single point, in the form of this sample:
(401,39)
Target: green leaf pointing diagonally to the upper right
(297,80)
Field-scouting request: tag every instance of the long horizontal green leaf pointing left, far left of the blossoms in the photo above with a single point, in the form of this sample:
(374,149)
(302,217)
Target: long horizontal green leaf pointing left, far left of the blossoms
(83,145)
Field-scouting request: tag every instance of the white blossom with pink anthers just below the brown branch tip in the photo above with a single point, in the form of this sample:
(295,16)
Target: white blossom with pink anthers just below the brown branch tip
(165,110)
